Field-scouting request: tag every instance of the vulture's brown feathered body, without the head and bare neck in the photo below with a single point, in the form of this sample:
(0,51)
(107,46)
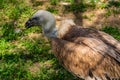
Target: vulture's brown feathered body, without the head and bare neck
(88,53)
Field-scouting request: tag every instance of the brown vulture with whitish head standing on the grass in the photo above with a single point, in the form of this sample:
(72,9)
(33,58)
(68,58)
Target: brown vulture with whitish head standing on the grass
(86,53)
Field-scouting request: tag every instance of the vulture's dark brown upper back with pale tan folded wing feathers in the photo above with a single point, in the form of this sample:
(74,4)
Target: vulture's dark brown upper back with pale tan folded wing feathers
(96,40)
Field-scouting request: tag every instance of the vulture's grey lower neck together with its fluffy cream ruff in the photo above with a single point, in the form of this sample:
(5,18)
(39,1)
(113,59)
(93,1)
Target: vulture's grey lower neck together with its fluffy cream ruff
(58,32)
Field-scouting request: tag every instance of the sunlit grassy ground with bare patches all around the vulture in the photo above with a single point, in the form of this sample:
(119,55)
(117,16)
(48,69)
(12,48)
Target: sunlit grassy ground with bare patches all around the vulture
(25,54)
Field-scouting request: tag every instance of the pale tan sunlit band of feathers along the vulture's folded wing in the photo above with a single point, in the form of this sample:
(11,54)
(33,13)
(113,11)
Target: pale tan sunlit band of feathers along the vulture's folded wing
(101,47)
